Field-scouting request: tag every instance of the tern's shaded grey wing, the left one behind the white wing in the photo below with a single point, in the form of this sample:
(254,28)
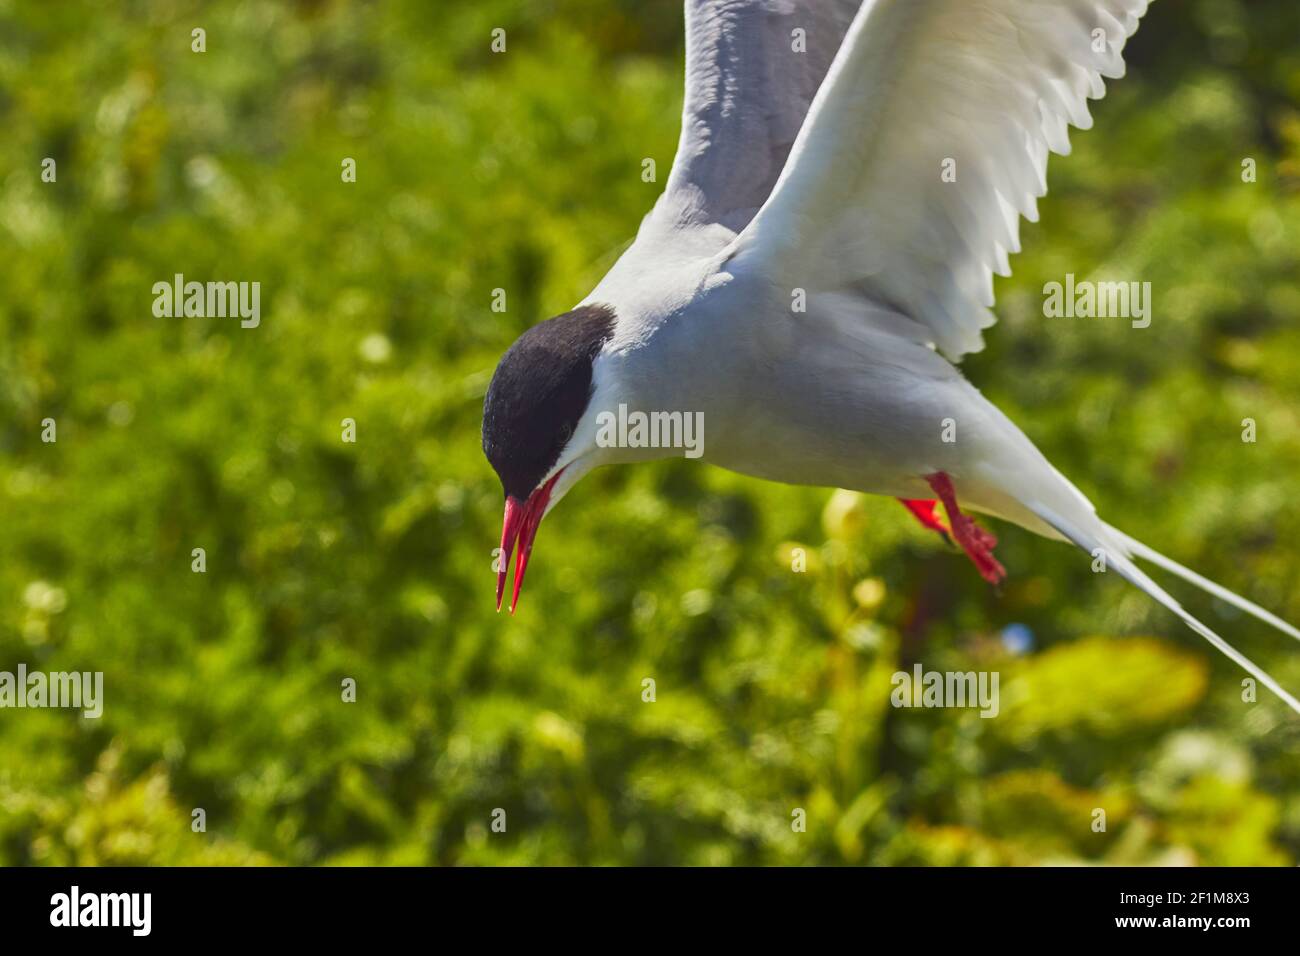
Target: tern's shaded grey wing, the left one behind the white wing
(753,68)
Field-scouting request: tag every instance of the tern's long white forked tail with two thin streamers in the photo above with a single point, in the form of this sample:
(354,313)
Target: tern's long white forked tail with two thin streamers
(1119,551)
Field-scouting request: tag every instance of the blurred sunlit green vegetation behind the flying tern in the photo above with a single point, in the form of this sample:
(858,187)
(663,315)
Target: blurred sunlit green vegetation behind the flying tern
(372,561)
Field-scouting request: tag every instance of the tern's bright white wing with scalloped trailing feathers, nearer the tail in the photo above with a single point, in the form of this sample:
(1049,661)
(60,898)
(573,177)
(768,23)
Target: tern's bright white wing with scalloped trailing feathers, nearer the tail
(928,142)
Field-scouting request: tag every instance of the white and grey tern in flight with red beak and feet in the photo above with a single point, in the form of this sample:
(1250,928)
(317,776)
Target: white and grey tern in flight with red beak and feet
(850,179)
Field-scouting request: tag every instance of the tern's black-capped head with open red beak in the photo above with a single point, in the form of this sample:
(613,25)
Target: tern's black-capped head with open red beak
(536,435)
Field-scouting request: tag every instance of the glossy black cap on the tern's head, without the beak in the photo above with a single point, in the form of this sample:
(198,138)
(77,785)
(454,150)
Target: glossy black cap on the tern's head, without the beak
(539,393)
